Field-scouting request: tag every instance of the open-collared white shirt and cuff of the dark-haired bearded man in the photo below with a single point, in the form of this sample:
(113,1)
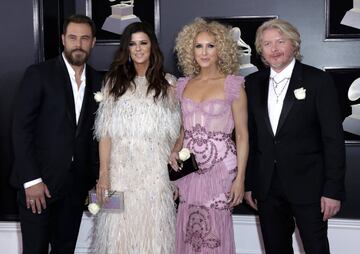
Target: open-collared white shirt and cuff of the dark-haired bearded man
(78,93)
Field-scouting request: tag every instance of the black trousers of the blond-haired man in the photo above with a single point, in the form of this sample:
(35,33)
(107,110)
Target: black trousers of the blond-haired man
(278,217)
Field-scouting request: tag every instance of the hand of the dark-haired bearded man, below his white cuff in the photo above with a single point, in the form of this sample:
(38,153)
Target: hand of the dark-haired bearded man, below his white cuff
(35,197)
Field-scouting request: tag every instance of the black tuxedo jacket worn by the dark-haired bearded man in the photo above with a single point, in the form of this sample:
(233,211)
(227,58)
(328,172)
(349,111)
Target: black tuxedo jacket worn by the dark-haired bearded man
(47,142)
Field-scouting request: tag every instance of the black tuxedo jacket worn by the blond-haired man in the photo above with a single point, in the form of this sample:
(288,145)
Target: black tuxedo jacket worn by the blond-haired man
(307,149)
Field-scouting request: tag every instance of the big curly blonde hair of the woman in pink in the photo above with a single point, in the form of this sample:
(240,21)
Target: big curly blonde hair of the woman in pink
(228,55)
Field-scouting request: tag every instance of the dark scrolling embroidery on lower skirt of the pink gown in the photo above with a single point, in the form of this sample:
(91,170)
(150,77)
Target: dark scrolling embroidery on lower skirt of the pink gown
(198,230)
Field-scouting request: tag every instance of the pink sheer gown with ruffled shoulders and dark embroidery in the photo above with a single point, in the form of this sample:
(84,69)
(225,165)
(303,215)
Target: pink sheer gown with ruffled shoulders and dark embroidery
(204,222)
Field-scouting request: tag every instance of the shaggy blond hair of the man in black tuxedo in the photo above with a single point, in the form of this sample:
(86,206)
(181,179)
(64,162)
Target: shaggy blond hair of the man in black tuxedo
(285,28)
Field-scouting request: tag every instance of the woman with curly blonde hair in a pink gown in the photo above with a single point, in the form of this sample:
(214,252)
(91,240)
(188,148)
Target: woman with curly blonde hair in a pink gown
(213,103)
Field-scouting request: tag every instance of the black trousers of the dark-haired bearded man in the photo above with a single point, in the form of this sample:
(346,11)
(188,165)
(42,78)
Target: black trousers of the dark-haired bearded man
(57,225)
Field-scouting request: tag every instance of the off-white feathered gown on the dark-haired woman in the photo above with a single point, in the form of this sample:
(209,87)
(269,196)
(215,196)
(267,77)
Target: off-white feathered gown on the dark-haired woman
(142,134)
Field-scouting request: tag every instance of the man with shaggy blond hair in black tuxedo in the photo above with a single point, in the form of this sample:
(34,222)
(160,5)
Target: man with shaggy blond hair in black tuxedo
(296,164)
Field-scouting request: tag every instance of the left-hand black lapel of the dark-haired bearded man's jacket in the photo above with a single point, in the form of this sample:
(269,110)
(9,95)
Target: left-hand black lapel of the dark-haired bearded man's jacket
(70,104)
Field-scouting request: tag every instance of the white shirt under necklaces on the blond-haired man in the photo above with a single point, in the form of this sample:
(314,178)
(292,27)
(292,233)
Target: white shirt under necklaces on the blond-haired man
(278,86)
